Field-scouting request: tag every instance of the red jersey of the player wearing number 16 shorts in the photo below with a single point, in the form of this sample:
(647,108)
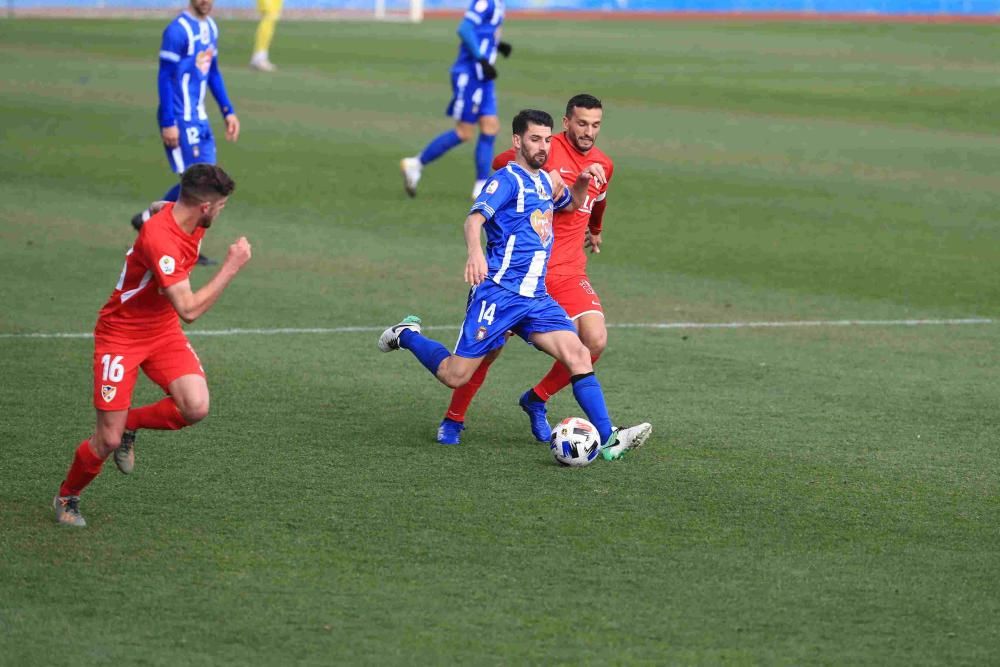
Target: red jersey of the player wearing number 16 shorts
(163,255)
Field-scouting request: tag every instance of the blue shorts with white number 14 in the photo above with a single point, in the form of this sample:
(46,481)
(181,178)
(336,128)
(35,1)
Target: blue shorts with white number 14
(493,311)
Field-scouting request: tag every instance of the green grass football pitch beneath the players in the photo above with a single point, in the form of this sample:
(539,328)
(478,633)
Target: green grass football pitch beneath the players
(811,495)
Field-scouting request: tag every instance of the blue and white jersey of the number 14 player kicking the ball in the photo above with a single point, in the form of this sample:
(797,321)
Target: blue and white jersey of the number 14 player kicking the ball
(518,208)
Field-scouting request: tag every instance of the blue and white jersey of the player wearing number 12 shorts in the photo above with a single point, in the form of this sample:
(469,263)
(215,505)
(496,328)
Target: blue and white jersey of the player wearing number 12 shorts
(188,66)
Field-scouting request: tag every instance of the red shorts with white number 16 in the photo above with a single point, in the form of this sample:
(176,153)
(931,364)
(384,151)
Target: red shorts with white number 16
(163,357)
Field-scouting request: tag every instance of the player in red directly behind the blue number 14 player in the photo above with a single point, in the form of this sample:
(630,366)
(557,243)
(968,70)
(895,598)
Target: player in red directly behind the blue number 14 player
(566,279)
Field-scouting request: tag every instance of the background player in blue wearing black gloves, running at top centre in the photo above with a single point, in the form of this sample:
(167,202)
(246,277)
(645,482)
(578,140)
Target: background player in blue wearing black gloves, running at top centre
(473,97)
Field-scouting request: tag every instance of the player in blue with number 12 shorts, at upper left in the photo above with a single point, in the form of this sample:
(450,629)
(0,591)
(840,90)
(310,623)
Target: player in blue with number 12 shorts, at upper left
(189,65)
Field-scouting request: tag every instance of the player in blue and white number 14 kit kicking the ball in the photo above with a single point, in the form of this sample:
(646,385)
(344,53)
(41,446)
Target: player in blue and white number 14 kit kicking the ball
(508,294)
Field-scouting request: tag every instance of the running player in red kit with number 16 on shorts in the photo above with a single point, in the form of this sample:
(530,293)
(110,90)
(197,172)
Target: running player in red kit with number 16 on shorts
(139,328)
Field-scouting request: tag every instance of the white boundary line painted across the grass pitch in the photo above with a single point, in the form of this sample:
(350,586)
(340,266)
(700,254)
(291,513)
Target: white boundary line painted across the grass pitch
(650,325)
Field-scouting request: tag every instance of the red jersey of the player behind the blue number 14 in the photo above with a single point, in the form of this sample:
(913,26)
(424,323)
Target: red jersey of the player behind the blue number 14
(568,257)
